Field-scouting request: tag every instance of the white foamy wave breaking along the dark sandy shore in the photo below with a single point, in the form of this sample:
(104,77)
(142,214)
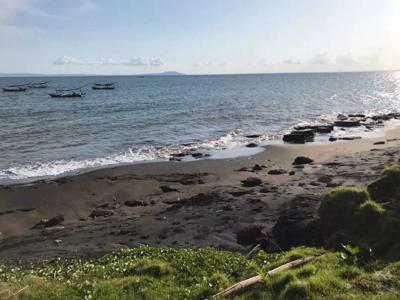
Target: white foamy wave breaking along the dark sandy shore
(144,153)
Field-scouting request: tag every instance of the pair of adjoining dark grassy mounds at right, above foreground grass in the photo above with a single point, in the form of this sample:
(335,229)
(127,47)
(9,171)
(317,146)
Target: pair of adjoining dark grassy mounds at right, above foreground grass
(353,216)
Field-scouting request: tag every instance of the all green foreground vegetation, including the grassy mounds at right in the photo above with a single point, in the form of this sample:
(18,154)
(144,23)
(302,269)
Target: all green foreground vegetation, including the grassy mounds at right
(364,265)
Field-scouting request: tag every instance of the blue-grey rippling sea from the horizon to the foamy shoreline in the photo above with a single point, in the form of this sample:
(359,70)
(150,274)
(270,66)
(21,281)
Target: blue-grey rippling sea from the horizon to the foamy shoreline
(149,118)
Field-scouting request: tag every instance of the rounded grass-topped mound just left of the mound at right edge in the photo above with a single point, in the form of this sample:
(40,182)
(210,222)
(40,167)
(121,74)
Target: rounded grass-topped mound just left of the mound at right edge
(338,208)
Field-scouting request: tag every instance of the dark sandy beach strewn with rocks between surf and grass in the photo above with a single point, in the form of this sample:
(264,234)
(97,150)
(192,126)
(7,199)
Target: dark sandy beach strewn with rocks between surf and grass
(197,203)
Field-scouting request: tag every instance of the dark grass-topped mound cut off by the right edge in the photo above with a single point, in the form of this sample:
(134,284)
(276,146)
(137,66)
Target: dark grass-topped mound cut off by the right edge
(387,187)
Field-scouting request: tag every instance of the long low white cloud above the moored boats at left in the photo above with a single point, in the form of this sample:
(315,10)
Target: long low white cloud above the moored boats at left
(136,62)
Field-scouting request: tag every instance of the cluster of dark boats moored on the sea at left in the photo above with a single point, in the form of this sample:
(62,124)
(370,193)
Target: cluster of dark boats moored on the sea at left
(58,93)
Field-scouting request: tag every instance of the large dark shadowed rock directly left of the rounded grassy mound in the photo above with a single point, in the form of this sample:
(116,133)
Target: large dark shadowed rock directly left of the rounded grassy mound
(296,224)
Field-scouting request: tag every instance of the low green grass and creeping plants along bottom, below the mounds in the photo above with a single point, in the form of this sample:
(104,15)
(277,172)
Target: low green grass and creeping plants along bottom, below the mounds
(161,273)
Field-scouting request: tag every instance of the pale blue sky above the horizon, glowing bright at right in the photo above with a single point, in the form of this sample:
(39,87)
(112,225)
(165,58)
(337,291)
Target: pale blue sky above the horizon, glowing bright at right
(198,37)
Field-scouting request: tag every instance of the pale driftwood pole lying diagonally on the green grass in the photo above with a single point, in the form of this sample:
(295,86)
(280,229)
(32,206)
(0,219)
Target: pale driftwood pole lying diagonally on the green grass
(242,285)
